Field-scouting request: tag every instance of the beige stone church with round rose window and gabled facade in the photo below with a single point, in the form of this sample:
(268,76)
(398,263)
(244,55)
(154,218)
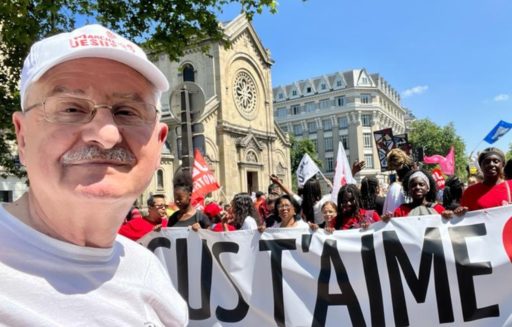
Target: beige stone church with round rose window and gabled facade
(241,143)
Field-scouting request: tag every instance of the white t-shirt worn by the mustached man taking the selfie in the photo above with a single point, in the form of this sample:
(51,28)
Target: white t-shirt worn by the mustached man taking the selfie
(47,282)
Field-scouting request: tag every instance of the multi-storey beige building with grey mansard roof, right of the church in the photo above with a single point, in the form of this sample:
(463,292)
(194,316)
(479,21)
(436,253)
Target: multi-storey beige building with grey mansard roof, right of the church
(342,107)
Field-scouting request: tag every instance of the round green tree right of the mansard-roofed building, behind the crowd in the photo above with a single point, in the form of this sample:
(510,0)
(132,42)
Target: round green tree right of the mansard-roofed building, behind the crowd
(438,140)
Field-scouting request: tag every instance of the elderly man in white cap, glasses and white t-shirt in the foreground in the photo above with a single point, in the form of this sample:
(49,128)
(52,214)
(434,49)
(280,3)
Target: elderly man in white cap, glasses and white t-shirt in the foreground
(90,139)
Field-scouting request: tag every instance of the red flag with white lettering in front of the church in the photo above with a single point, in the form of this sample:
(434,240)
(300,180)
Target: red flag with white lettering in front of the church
(203,180)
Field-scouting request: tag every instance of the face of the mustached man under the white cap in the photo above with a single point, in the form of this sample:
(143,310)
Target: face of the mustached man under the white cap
(54,153)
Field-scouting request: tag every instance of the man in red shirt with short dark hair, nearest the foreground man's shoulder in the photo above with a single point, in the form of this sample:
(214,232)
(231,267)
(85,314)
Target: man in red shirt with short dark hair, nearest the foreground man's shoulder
(157,218)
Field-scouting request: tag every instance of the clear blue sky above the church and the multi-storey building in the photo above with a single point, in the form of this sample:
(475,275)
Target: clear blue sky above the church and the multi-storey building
(450,60)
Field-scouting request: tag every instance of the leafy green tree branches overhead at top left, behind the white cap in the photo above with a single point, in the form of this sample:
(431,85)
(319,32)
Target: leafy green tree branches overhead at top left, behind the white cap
(160,26)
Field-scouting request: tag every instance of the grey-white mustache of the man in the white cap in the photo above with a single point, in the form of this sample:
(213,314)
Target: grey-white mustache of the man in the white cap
(91,153)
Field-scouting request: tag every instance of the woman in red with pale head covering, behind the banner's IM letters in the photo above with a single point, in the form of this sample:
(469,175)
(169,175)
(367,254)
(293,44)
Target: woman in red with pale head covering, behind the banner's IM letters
(421,188)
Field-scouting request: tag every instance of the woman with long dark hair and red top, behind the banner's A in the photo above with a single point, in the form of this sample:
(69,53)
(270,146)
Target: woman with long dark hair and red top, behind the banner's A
(350,211)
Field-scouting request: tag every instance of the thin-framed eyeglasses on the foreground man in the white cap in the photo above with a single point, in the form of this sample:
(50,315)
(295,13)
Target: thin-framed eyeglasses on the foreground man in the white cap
(73,110)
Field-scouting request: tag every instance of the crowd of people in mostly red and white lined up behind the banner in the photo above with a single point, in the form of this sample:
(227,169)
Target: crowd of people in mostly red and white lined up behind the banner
(414,193)
